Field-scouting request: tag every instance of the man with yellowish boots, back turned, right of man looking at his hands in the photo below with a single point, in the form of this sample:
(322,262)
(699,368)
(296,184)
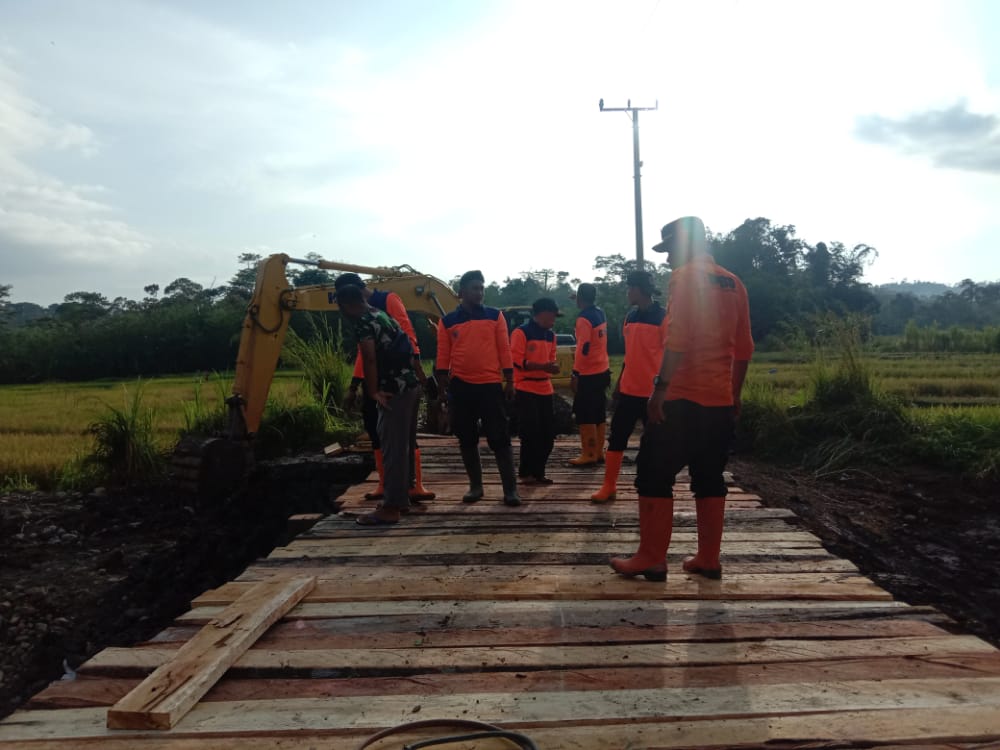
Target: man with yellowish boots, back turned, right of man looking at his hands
(591,377)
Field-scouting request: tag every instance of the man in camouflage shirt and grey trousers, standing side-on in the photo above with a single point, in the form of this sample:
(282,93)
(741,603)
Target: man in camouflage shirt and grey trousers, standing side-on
(391,382)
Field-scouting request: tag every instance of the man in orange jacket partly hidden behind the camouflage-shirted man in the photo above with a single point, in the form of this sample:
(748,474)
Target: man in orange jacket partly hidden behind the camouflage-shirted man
(391,304)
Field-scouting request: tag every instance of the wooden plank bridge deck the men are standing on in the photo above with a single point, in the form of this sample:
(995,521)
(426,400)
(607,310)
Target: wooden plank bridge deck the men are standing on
(511,616)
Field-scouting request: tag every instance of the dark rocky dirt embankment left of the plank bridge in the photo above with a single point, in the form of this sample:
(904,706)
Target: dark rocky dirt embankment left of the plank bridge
(80,572)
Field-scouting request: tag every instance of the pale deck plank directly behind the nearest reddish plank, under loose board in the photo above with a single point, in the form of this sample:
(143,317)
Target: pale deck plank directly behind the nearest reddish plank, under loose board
(415,660)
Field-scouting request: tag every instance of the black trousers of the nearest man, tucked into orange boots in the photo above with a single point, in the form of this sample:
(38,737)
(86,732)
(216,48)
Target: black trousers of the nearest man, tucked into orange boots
(690,435)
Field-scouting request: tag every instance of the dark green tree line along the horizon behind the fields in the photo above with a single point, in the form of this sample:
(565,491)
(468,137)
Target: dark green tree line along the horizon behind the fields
(792,285)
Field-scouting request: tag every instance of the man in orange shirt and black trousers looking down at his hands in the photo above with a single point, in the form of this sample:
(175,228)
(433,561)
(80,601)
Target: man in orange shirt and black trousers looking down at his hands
(533,351)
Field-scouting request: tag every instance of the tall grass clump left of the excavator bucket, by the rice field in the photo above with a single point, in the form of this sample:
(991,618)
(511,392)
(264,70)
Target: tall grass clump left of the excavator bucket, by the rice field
(124,453)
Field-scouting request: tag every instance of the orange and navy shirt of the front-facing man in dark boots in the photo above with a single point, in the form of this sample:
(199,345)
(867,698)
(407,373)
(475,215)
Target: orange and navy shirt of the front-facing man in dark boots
(474,346)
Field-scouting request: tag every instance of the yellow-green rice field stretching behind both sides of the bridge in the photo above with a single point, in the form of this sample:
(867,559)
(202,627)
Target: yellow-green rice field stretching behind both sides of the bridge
(43,427)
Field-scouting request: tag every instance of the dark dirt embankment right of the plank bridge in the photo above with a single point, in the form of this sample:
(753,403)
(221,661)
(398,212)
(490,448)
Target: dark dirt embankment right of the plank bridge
(926,537)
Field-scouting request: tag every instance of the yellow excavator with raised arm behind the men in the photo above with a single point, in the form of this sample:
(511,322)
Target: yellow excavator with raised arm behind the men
(210,466)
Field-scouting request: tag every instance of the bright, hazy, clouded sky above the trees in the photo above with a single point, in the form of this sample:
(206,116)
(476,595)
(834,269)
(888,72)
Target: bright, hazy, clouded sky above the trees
(145,141)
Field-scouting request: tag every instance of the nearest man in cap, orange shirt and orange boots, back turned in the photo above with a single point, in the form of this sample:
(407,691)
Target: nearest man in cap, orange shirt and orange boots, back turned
(696,398)
